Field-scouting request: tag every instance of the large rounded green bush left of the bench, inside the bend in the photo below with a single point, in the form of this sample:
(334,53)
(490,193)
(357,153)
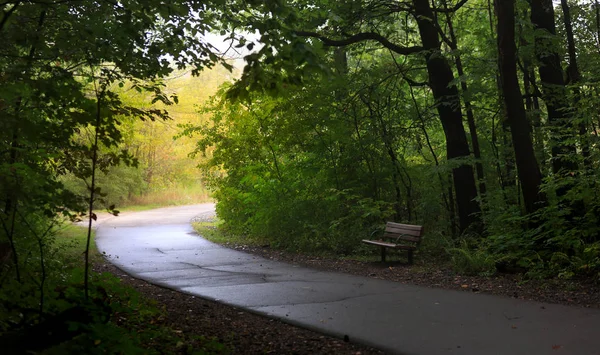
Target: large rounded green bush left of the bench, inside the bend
(289,172)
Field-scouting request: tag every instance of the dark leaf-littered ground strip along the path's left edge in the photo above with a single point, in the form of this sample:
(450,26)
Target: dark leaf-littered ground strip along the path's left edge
(240,331)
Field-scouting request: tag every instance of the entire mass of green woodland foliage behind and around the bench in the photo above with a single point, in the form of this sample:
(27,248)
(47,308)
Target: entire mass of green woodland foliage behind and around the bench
(337,128)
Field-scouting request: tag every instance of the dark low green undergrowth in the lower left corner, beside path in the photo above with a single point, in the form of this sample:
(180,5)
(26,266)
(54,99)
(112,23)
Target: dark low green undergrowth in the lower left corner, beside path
(115,319)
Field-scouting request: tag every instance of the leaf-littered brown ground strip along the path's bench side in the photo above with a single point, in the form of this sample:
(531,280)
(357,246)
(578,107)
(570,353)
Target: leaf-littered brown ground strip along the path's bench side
(582,292)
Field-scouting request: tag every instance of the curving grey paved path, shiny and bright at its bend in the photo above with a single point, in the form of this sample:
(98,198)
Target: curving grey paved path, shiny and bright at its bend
(160,246)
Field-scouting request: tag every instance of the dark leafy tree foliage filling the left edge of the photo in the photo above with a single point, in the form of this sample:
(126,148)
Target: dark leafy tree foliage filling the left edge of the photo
(64,67)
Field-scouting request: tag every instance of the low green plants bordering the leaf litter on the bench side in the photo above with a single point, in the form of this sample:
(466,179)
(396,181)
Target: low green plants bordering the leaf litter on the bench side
(469,256)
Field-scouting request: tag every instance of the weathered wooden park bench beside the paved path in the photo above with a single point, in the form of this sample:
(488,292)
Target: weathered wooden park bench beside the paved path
(399,236)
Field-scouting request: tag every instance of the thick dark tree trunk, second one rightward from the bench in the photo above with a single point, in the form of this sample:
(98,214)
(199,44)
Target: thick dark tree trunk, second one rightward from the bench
(527,166)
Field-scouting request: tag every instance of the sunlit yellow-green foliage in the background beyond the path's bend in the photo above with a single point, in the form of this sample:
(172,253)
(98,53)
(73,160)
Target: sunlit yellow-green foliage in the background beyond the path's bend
(162,173)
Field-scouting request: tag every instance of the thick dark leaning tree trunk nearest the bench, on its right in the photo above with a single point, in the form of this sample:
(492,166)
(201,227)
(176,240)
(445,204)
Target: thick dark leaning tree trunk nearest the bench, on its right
(448,107)
